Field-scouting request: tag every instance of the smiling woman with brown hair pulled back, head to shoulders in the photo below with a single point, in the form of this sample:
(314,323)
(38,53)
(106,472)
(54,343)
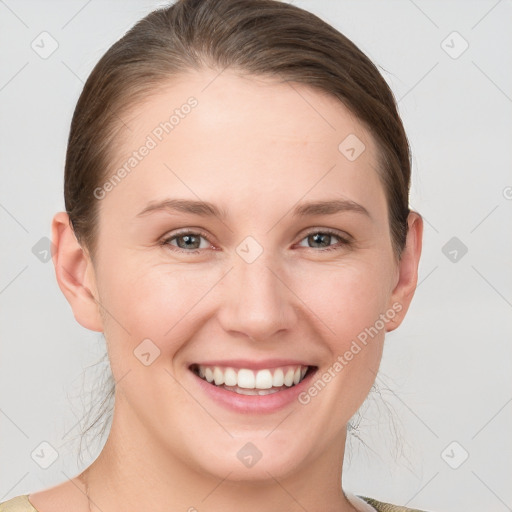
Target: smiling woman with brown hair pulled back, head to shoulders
(237,225)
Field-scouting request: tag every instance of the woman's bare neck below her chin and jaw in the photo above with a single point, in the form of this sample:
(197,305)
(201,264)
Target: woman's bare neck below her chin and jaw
(131,473)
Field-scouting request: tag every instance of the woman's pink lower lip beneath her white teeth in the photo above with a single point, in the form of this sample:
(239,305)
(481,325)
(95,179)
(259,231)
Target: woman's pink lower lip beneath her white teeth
(256,404)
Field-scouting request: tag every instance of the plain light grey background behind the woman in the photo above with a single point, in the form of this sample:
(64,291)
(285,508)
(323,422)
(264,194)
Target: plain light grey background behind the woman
(446,372)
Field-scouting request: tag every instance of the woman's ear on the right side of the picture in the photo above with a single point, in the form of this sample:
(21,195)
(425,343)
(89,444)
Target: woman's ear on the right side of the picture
(407,272)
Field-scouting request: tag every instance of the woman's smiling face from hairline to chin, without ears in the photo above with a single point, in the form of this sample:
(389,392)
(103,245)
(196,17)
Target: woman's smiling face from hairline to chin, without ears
(287,273)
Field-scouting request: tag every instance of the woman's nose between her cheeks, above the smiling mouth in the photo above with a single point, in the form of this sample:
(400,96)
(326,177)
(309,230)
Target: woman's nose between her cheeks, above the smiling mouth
(256,301)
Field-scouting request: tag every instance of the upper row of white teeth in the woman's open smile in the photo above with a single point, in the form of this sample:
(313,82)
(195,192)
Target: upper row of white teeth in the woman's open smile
(249,382)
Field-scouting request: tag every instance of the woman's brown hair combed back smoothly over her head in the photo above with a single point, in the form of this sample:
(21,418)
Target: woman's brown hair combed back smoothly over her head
(265,38)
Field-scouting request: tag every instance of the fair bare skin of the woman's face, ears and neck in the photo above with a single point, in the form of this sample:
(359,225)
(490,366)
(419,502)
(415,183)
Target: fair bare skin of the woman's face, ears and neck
(255,148)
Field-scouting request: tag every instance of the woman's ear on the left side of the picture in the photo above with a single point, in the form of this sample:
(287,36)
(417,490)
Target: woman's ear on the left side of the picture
(75,274)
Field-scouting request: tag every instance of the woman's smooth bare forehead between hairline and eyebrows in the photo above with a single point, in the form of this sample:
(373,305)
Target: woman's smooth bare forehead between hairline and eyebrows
(240,139)
